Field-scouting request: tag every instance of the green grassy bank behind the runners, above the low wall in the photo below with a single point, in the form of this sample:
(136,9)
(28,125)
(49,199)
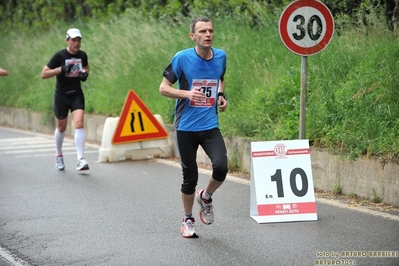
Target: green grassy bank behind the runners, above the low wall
(352,91)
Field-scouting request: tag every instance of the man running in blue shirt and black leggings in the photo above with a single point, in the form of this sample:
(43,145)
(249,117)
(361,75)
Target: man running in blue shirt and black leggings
(200,74)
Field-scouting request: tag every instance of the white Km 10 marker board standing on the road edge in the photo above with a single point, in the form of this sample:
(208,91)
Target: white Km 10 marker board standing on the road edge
(281,182)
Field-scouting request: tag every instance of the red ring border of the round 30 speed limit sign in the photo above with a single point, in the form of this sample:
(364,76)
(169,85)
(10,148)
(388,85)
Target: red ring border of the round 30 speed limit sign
(284,21)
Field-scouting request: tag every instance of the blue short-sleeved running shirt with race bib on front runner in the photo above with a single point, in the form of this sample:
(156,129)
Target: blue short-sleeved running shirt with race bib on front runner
(191,70)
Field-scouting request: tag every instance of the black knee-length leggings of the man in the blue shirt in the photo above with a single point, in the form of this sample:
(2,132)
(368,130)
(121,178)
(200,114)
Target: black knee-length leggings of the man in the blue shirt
(213,144)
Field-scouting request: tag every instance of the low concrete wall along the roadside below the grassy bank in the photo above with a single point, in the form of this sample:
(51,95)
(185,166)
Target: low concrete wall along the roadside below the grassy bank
(360,177)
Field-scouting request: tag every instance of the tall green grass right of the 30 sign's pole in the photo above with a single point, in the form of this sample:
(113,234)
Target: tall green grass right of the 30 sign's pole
(358,95)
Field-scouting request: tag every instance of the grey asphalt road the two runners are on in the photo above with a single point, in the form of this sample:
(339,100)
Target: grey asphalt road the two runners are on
(128,213)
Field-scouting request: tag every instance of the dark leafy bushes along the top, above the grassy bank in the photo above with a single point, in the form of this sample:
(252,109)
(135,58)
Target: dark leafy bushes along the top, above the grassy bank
(45,13)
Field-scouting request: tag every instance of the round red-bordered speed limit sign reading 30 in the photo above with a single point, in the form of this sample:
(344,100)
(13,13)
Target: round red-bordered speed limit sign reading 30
(306,27)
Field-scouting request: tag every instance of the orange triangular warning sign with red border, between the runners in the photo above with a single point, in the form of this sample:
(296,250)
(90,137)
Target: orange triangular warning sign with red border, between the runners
(137,123)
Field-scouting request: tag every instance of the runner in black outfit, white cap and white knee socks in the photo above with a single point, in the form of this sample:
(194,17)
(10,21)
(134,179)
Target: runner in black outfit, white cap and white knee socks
(70,66)
